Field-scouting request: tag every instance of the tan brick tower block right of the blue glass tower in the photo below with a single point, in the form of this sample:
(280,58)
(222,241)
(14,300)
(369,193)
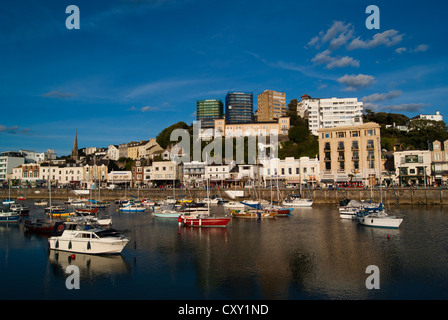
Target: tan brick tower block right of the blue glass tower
(271,105)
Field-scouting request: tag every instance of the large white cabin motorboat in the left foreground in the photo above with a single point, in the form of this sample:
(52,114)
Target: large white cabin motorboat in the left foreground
(85,238)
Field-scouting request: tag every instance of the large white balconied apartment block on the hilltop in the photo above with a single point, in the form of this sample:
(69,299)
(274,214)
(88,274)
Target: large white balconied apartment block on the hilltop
(329,113)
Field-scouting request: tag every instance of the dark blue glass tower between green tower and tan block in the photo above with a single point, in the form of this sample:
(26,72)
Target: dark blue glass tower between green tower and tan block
(239,107)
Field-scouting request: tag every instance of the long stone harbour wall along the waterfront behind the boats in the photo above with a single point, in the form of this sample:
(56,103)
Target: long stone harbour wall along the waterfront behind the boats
(390,196)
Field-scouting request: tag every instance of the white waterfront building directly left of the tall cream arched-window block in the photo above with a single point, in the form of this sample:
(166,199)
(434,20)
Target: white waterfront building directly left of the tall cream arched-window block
(290,171)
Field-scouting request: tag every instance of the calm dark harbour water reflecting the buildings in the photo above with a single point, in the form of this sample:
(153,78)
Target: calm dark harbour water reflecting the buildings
(313,254)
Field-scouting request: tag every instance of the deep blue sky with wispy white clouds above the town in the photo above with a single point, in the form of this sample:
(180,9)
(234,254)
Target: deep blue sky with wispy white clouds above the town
(135,67)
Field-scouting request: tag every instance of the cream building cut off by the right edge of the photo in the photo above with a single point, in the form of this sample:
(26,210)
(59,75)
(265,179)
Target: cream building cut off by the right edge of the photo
(439,161)
